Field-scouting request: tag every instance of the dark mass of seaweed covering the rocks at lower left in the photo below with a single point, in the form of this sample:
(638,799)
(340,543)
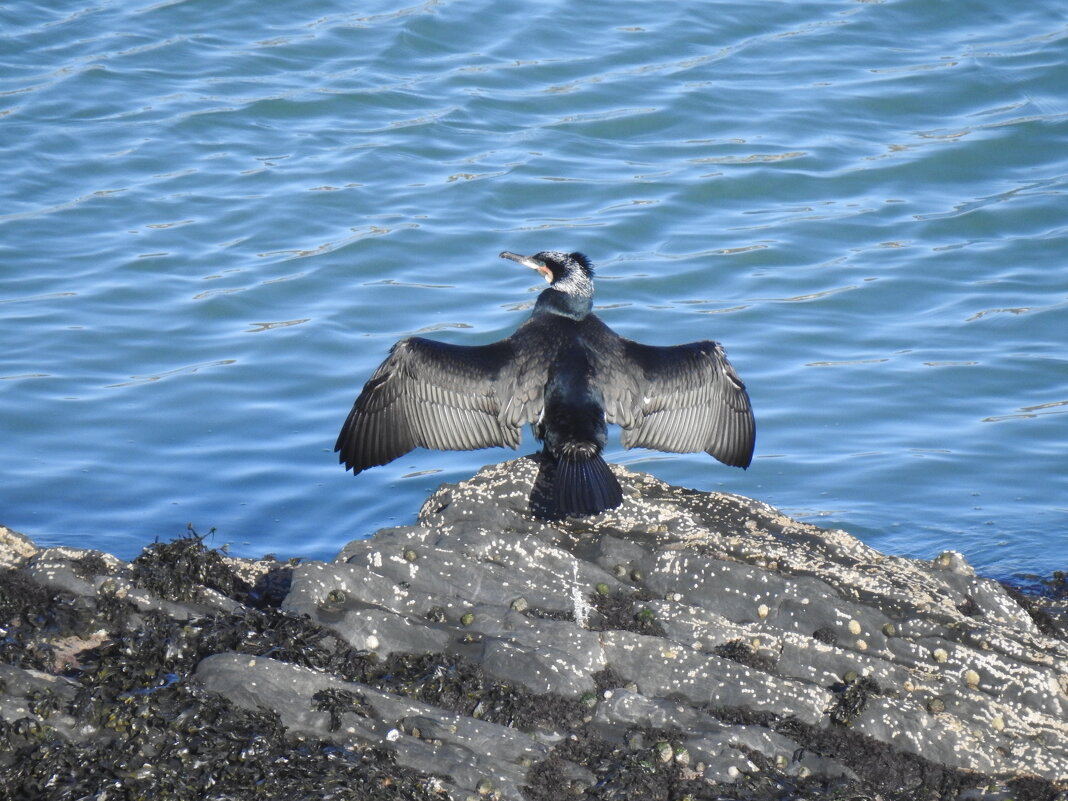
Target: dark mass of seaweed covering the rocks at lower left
(156,732)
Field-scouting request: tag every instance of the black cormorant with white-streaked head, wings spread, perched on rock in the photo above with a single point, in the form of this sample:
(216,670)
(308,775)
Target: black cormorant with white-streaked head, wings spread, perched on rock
(569,374)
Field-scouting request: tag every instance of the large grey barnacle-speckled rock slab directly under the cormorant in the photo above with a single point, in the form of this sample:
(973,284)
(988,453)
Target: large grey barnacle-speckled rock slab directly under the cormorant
(819,605)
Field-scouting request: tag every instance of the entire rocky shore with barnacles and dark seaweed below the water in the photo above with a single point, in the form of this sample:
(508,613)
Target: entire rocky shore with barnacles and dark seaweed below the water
(686,646)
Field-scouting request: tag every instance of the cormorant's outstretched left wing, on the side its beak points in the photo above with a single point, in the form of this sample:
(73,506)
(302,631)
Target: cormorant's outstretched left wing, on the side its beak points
(434,395)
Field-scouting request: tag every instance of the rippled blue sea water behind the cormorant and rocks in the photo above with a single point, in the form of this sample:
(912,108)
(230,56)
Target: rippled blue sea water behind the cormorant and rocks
(216,218)
